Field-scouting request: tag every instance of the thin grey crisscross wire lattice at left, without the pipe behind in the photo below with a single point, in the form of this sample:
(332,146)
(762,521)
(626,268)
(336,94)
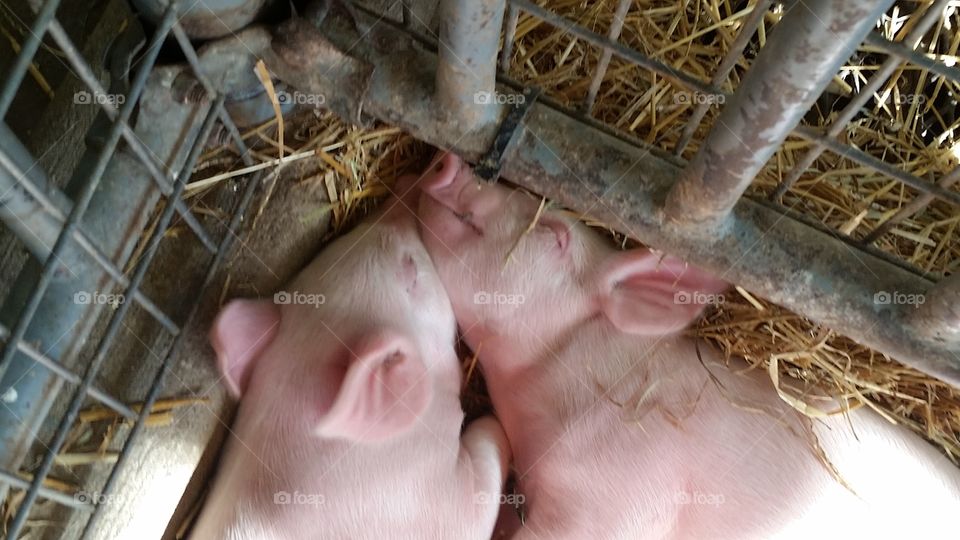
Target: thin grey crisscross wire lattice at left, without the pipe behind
(170,186)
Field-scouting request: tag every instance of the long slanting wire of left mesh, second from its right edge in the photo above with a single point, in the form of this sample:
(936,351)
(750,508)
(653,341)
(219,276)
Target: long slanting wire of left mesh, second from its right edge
(113,328)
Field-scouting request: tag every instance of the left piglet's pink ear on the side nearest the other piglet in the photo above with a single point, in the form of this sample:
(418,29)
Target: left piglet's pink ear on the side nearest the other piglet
(385,389)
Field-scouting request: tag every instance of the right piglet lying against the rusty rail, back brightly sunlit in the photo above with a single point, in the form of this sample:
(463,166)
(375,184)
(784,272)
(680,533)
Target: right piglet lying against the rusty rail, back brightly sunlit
(616,428)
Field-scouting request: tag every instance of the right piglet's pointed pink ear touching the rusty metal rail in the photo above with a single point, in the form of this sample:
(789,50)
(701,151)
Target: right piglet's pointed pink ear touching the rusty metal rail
(647,293)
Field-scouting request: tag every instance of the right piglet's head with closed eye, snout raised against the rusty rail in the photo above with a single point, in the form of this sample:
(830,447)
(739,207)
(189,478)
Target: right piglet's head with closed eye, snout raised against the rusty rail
(514,266)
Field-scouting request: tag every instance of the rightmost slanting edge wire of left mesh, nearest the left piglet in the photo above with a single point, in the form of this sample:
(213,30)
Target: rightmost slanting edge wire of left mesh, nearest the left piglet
(154,392)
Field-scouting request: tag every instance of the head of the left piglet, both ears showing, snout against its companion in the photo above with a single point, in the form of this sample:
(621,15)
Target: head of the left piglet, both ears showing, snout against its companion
(359,343)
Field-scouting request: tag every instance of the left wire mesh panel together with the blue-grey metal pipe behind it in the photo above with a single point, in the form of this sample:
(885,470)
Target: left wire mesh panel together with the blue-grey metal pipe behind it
(61,239)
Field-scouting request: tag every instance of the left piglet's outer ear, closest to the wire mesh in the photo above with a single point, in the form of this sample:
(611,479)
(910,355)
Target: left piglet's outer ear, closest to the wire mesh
(240,333)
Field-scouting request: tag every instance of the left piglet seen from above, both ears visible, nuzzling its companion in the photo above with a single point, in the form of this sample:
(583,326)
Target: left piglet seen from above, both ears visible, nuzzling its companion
(350,421)
